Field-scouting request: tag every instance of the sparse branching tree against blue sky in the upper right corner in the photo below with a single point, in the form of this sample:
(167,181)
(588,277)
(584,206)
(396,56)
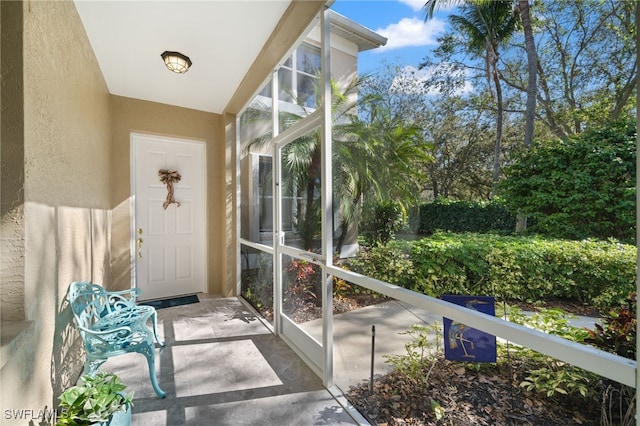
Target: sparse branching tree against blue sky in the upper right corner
(587,64)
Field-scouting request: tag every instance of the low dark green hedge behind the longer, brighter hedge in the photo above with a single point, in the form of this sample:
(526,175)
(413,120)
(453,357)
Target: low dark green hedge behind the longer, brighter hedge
(465,216)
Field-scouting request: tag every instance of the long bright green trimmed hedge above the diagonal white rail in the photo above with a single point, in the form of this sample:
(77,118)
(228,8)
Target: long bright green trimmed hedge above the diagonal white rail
(599,273)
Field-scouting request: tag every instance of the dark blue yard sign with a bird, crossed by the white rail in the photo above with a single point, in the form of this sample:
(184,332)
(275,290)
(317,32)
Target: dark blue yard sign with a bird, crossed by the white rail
(463,343)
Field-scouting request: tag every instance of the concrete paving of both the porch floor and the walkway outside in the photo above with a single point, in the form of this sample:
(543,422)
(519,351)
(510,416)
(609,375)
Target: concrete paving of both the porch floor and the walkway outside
(223,366)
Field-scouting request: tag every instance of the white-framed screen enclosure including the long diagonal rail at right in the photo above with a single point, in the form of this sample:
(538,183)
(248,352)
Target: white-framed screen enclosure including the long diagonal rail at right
(268,254)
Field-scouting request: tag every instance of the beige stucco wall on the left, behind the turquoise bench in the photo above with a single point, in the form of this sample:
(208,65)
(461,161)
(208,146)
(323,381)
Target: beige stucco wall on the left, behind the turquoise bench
(66,188)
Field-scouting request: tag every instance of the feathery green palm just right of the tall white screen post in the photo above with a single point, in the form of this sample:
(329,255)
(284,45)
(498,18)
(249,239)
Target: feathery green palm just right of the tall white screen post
(378,158)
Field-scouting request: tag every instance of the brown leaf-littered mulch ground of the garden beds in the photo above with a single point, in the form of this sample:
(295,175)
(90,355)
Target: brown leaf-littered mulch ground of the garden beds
(463,394)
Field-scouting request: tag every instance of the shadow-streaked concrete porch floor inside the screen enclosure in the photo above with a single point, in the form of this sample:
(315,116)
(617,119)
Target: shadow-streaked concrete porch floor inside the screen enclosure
(221,365)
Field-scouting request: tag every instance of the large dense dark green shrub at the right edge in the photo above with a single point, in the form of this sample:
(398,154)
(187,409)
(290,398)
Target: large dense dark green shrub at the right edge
(582,187)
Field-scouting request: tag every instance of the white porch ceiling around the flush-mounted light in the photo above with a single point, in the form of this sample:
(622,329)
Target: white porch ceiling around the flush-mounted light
(222,38)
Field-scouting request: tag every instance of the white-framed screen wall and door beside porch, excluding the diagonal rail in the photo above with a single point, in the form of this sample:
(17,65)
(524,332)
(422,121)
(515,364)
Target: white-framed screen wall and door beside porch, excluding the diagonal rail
(274,195)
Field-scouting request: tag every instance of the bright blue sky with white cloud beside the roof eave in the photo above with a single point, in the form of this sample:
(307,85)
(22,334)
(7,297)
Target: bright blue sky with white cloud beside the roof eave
(410,39)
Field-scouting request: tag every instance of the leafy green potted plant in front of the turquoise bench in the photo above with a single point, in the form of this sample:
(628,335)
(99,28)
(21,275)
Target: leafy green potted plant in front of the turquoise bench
(99,400)
